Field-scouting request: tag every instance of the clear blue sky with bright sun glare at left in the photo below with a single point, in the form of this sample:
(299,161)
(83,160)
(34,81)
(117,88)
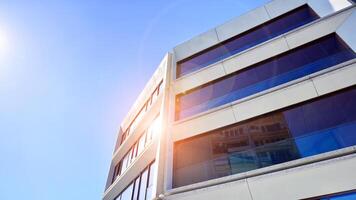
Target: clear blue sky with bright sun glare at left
(69,72)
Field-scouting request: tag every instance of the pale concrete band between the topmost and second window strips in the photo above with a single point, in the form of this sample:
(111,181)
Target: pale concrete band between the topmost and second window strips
(265,50)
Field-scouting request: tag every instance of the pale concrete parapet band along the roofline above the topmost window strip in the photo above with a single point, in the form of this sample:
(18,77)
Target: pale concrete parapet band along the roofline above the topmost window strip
(243,23)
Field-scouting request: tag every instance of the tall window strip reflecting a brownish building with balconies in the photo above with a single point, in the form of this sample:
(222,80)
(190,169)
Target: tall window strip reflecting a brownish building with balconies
(322,125)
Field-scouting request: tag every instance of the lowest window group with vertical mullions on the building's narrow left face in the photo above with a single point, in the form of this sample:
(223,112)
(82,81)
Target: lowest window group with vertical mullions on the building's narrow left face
(143,187)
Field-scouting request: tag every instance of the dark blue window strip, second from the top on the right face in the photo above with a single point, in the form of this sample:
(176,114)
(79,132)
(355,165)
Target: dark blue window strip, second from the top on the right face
(307,59)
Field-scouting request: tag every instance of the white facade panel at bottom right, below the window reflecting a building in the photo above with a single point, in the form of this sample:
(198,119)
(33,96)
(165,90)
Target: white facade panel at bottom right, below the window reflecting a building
(327,177)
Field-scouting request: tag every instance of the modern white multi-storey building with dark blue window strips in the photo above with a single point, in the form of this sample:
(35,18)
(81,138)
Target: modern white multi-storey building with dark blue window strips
(262,107)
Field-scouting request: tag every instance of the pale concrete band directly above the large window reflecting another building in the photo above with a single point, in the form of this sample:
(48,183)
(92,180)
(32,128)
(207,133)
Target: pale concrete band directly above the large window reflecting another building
(303,89)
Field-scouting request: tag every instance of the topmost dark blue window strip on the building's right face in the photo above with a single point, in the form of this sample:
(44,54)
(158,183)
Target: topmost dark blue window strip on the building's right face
(250,38)
